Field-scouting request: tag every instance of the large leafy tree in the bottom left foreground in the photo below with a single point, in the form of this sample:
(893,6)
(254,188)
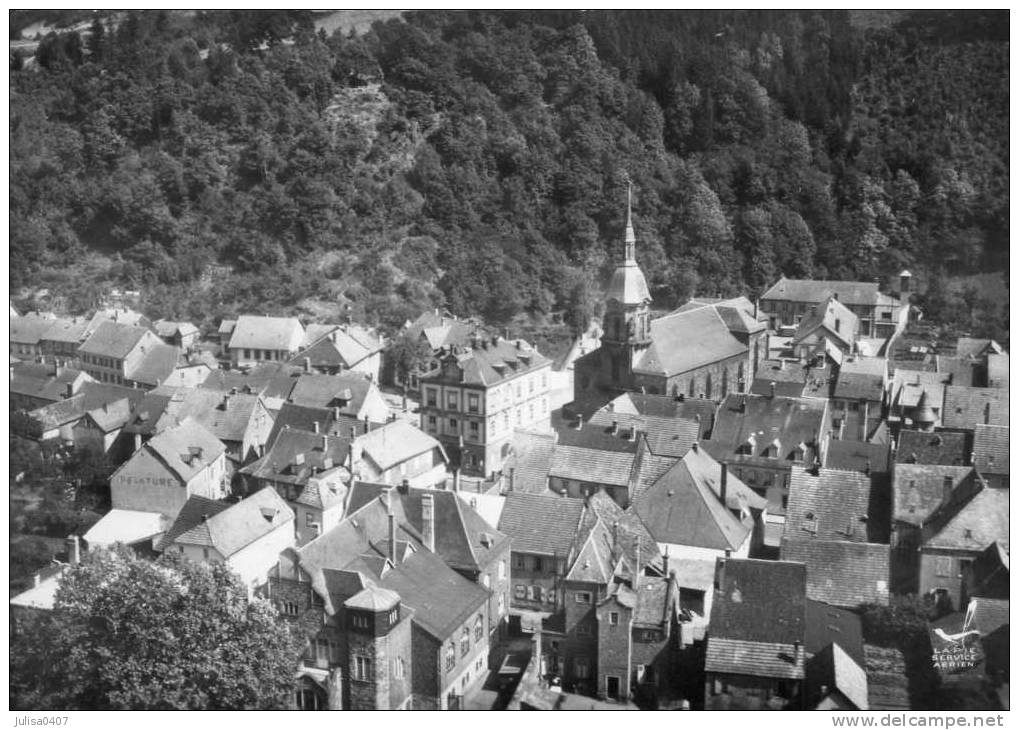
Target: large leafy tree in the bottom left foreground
(131,635)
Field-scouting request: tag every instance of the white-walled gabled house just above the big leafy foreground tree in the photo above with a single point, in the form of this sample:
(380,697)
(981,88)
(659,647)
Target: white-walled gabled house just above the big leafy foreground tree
(248,537)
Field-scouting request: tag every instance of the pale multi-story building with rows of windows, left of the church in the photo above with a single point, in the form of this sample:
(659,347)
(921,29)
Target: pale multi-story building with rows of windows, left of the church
(478,396)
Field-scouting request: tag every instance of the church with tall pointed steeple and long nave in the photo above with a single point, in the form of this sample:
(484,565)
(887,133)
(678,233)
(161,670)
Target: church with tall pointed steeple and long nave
(641,354)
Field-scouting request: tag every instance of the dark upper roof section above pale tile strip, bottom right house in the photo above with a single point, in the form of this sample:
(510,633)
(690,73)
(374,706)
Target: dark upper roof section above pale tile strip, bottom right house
(760,601)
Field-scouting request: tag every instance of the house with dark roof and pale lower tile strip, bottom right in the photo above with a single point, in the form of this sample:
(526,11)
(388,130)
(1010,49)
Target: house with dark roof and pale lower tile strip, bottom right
(756,656)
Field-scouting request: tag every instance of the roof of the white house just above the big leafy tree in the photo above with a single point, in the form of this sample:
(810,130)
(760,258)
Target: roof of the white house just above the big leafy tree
(233,530)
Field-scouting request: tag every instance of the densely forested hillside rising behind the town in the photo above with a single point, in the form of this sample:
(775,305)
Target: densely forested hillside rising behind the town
(479,161)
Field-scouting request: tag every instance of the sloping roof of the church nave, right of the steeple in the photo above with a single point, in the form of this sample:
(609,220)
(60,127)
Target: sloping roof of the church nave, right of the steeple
(671,353)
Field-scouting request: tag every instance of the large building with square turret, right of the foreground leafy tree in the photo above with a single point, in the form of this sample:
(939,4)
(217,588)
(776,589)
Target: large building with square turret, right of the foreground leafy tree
(390,624)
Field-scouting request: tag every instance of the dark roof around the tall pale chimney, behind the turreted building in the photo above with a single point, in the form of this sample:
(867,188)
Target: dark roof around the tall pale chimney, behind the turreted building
(463,539)
